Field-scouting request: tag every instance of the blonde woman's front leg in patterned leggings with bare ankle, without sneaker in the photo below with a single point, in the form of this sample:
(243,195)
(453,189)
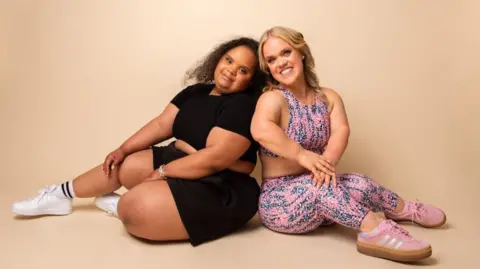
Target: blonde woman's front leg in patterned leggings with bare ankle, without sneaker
(290,205)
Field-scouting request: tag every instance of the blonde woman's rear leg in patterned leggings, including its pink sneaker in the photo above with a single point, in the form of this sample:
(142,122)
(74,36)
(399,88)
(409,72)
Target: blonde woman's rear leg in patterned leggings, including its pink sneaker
(370,194)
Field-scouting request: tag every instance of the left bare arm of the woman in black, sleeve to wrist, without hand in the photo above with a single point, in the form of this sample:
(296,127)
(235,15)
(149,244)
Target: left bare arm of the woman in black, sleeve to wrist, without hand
(154,132)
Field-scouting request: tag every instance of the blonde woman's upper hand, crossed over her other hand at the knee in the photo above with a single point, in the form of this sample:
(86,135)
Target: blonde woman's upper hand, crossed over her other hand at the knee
(321,168)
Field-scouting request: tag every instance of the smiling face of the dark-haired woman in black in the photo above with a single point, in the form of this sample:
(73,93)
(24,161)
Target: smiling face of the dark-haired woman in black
(235,70)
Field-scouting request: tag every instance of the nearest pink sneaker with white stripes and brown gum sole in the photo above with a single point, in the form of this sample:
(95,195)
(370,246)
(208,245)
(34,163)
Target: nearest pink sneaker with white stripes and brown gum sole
(392,242)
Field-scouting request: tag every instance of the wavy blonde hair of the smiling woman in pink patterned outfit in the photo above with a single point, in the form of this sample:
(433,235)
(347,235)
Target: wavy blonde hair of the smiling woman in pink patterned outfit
(296,40)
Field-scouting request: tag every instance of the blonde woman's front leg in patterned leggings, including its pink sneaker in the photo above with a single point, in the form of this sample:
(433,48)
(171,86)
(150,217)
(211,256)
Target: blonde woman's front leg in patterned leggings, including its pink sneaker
(293,205)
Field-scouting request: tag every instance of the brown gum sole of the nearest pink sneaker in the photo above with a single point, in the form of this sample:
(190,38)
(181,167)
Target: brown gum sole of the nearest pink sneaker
(394,255)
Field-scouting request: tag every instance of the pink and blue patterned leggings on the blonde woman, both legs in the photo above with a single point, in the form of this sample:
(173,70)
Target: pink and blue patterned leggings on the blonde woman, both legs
(291,204)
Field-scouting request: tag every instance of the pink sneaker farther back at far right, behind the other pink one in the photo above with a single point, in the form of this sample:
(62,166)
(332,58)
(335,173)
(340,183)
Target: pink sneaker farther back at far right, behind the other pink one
(424,215)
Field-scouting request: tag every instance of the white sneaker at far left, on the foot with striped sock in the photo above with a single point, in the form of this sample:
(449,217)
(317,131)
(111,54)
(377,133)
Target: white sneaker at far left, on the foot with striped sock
(45,203)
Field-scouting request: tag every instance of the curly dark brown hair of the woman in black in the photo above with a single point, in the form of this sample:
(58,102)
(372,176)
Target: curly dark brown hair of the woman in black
(204,71)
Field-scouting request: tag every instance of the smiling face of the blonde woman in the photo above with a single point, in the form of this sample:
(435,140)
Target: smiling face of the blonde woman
(284,61)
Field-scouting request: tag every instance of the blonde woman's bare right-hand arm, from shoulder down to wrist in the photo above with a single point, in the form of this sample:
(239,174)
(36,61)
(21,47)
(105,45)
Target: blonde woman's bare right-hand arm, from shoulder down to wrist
(340,129)
